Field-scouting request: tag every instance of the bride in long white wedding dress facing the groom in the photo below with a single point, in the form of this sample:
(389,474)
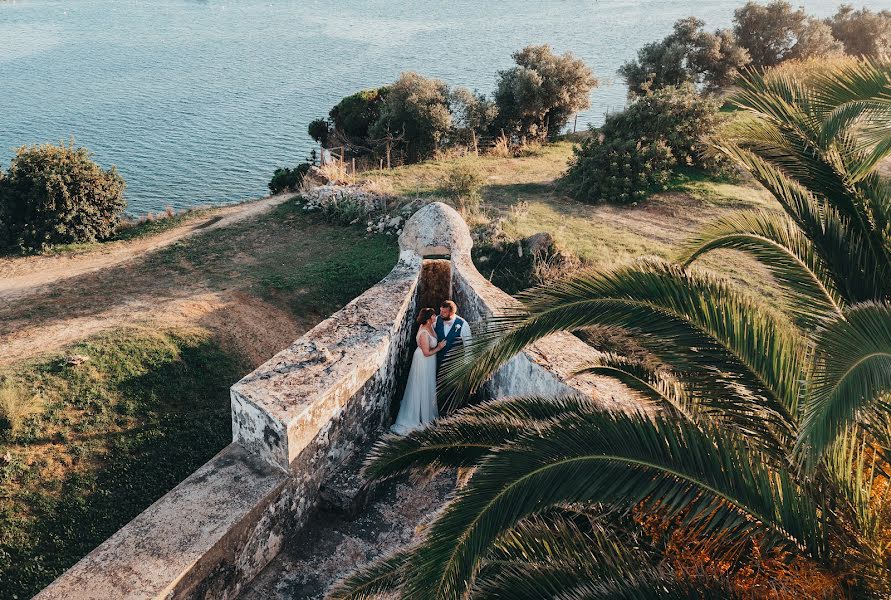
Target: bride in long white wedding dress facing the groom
(419,401)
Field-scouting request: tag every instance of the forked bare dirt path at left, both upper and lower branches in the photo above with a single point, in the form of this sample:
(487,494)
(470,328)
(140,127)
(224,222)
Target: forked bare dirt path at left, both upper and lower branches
(50,302)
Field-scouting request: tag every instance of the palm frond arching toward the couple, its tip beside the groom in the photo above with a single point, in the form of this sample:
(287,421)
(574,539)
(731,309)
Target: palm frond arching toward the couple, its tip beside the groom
(689,320)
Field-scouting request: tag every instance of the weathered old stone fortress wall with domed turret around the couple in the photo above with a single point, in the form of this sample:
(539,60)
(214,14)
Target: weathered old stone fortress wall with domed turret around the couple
(300,416)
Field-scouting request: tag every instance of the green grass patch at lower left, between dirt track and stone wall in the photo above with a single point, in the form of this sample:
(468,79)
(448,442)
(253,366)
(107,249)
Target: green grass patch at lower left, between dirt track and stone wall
(114,434)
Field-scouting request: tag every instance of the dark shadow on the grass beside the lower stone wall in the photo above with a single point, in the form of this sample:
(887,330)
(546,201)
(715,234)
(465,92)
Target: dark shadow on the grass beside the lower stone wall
(182,408)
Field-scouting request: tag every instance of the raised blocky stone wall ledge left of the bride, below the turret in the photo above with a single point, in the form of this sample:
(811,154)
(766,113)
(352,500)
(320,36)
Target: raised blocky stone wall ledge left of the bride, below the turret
(279,408)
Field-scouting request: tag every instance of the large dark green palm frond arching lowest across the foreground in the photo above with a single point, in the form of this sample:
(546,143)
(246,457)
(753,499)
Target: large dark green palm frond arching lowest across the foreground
(723,490)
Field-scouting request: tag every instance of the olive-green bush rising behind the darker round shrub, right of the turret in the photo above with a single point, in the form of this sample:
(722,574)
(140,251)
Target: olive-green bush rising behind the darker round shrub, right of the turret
(676,116)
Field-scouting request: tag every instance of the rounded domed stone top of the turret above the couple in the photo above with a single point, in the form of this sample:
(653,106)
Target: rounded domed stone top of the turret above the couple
(436,229)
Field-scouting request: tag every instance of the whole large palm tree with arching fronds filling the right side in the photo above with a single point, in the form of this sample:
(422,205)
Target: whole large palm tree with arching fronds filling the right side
(743,399)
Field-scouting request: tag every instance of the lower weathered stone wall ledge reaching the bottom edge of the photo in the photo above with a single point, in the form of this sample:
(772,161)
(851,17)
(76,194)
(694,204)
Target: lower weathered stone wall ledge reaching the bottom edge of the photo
(174,544)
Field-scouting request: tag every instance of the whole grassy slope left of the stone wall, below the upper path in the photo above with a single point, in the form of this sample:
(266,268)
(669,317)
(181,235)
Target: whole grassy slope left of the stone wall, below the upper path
(125,413)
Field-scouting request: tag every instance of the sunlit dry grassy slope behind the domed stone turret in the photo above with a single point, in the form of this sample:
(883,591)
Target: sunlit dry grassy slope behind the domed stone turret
(525,193)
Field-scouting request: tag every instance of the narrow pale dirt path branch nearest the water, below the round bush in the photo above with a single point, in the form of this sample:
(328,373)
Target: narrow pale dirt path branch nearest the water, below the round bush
(23,276)
